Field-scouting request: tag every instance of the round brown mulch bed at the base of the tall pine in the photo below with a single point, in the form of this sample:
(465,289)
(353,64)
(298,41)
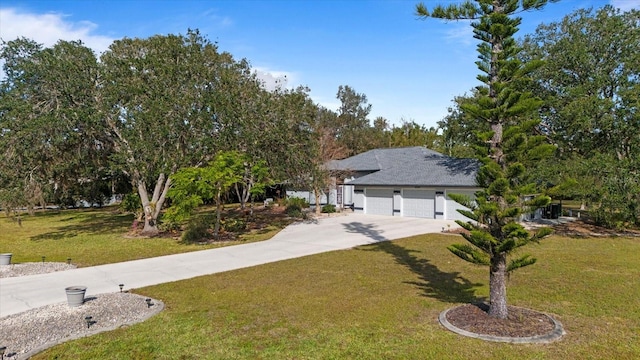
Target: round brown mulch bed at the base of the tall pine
(520,322)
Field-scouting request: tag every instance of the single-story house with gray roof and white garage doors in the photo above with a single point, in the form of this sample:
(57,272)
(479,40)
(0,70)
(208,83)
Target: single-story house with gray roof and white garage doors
(410,181)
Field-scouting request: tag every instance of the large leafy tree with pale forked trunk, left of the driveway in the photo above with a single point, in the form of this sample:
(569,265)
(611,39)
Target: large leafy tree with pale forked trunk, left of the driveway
(163,104)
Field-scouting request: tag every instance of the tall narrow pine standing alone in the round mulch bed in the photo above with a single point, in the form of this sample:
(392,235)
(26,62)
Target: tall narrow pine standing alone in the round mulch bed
(506,150)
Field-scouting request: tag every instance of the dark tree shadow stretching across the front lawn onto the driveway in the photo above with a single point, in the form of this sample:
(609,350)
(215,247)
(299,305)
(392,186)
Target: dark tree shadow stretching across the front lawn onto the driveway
(434,283)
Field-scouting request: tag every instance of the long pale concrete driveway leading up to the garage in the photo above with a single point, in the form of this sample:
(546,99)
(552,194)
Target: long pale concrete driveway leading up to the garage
(339,232)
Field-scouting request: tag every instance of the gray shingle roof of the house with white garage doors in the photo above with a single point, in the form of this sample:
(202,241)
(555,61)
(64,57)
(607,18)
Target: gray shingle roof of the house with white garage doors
(409,166)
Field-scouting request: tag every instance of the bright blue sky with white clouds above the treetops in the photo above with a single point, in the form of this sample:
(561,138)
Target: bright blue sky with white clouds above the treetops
(409,69)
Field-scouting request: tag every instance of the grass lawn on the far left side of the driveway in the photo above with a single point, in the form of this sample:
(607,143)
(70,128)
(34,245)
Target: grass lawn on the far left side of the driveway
(93,237)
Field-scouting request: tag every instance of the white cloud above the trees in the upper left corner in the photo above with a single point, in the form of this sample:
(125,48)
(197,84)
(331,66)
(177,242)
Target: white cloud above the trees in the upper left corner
(49,28)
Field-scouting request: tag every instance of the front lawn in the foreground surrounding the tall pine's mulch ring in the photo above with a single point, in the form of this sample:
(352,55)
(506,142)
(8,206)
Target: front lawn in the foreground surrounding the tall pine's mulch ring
(382,302)
